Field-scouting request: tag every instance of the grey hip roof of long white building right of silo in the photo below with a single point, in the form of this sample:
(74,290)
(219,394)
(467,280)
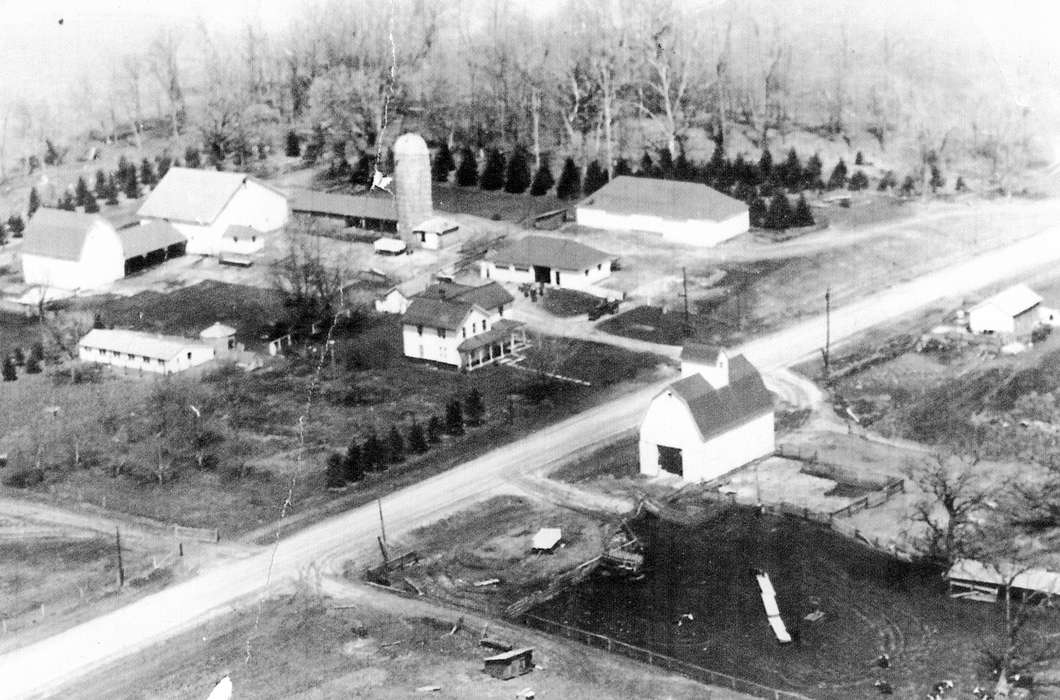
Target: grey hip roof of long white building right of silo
(665,199)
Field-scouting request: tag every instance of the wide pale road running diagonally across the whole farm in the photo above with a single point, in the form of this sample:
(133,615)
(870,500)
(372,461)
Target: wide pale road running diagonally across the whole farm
(44,668)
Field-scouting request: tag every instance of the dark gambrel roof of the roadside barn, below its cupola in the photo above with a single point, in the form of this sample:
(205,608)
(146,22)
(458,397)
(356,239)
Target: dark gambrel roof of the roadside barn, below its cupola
(719,411)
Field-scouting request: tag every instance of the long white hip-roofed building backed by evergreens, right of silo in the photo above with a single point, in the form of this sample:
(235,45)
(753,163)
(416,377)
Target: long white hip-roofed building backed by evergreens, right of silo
(684,213)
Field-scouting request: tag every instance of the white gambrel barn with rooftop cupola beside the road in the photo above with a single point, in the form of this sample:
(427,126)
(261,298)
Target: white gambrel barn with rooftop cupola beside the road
(717,418)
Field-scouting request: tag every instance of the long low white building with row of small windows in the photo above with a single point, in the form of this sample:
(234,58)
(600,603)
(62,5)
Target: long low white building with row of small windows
(144,353)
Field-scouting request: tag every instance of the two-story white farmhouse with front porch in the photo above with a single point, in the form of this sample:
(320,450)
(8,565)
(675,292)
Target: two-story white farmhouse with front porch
(462,326)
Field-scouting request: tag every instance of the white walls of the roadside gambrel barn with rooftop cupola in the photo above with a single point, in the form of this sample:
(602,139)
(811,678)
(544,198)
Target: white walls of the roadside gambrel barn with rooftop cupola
(668,423)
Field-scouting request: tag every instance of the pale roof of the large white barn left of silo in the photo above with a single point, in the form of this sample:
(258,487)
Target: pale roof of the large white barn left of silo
(192,196)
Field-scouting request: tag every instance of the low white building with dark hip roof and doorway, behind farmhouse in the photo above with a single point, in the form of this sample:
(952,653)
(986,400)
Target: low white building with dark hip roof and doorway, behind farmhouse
(549,260)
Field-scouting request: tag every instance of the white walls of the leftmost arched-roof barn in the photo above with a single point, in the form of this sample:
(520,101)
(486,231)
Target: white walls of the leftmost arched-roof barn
(102,262)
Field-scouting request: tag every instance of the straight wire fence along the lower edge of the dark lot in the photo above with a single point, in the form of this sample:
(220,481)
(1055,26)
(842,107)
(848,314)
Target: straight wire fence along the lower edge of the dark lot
(656,659)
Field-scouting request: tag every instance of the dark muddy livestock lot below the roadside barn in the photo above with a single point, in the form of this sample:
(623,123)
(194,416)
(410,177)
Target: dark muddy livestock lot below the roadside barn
(873,605)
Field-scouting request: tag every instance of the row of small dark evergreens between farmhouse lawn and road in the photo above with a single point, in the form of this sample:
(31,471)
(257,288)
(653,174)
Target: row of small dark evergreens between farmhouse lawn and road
(376,454)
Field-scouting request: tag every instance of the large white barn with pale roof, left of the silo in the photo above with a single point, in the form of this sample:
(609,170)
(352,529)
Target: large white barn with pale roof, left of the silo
(204,204)
